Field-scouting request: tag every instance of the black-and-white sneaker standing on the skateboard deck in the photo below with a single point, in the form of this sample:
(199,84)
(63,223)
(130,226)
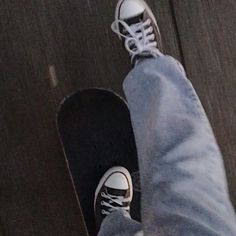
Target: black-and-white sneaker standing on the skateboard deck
(114,192)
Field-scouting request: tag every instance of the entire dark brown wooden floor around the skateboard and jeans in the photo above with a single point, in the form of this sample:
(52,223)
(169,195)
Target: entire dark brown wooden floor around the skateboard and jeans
(51,48)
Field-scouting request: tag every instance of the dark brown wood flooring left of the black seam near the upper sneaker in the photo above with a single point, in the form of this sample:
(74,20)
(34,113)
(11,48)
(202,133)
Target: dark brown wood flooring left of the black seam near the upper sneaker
(47,50)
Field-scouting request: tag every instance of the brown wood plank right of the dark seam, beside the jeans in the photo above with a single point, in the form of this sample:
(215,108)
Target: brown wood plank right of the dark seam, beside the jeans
(207,34)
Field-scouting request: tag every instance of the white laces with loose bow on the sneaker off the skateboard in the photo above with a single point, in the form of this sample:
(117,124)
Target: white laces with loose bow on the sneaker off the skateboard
(139,38)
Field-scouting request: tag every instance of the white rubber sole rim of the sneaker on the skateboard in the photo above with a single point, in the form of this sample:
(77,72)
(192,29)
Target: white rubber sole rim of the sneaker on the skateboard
(108,173)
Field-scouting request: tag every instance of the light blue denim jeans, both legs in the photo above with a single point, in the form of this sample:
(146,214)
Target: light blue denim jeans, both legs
(183,181)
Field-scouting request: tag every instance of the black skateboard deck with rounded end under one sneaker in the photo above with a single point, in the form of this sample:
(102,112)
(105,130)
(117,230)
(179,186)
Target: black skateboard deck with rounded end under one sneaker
(96,133)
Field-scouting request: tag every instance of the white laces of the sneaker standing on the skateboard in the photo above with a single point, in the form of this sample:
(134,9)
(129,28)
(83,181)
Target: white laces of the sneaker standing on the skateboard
(119,200)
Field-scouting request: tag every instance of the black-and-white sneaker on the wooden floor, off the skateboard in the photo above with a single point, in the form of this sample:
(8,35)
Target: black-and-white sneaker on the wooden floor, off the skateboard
(136,25)
